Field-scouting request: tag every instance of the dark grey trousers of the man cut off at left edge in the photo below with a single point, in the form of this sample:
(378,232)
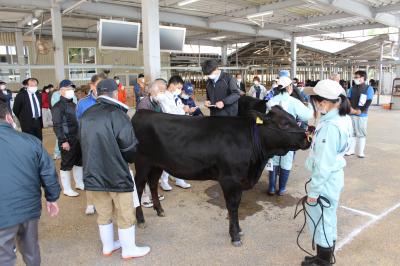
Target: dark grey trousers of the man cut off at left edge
(26,237)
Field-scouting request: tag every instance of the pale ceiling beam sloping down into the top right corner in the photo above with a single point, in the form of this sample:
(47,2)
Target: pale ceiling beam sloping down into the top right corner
(362,10)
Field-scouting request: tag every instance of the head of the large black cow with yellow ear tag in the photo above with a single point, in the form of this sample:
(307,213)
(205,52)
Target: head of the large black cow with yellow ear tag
(279,132)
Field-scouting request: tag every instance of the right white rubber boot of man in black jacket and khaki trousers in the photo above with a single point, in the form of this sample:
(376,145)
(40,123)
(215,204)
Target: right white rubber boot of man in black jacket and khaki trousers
(128,244)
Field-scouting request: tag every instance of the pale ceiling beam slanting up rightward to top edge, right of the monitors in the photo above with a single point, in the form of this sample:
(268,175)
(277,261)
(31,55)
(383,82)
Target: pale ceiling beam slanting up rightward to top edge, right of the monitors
(241,13)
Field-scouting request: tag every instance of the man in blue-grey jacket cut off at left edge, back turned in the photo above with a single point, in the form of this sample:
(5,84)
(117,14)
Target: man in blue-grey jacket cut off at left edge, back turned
(25,167)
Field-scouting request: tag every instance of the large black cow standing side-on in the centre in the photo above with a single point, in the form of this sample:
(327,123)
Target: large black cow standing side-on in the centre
(231,150)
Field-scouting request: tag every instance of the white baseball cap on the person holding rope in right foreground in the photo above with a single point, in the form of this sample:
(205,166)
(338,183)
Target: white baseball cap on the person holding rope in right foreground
(328,89)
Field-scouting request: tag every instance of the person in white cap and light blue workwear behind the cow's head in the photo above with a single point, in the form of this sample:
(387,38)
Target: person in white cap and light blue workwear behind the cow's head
(283,164)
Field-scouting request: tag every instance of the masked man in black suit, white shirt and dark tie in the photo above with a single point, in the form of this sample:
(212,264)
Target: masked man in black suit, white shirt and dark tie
(28,109)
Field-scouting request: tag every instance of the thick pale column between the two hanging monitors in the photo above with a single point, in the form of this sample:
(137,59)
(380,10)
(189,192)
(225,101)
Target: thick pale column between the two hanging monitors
(151,39)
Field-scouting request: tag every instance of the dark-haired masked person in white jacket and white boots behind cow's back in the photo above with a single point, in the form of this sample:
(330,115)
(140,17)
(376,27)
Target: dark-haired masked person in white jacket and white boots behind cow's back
(172,104)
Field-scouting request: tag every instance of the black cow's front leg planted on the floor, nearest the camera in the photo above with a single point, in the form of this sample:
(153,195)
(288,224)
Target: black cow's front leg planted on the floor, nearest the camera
(233,195)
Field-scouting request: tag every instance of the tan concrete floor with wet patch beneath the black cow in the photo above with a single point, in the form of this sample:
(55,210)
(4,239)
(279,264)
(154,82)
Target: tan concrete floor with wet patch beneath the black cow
(195,229)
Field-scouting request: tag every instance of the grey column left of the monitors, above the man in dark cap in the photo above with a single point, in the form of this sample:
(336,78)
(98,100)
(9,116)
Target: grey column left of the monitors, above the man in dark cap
(56,28)
